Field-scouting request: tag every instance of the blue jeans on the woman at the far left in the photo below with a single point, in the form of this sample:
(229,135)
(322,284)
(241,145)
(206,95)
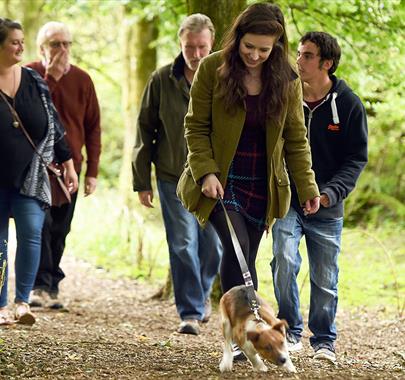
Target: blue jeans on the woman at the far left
(28,215)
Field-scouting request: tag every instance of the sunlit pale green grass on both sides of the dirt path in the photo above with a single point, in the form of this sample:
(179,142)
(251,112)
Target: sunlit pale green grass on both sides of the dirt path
(131,242)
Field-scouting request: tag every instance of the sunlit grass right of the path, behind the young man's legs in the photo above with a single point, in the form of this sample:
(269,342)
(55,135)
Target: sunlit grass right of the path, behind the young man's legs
(371,273)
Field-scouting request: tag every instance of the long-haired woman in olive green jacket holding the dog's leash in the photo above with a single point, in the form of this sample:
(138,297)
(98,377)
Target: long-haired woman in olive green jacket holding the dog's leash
(248,89)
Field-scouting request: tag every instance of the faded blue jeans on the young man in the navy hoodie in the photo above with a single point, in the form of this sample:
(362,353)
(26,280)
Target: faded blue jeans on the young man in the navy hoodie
(322,238)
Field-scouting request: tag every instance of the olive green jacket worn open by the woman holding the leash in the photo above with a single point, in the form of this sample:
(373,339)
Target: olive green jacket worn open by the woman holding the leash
(212,137)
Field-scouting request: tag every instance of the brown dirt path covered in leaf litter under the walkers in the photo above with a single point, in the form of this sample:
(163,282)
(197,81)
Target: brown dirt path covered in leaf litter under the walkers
(112,330)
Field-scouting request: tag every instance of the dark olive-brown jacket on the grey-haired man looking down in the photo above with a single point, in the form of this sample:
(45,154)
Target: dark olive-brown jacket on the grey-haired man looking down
(160,127)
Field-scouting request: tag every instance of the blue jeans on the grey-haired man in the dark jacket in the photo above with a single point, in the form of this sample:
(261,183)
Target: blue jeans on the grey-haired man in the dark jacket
(195,254)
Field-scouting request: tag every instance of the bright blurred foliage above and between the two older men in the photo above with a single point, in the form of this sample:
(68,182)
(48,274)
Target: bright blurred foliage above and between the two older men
(98,50)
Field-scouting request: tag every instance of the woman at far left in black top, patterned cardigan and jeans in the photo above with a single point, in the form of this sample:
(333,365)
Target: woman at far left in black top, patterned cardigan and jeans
(24,183)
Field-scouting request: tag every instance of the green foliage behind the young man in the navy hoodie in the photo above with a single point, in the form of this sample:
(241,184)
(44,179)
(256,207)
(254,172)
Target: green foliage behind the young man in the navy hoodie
(371,35)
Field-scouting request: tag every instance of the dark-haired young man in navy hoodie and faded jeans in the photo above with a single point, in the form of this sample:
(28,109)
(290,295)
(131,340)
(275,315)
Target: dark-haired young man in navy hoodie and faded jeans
(337,132)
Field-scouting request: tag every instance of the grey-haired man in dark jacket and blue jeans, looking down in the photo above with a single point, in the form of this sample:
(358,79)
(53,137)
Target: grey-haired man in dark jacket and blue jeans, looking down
(194,253)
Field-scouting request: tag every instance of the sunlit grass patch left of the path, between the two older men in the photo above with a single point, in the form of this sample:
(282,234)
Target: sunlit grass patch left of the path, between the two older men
(126,242)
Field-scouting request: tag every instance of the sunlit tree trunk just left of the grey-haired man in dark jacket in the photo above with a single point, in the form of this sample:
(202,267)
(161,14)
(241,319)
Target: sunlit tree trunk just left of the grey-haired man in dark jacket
(139,60)
